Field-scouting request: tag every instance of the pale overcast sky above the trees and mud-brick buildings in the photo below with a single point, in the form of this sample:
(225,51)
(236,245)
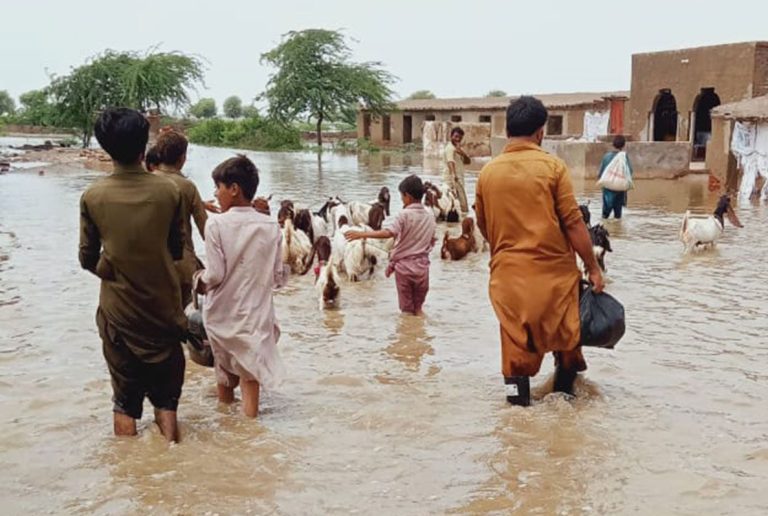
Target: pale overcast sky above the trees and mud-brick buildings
(454,48)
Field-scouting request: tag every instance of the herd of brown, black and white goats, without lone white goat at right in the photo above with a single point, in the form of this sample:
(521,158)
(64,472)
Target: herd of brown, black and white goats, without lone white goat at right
(318,237)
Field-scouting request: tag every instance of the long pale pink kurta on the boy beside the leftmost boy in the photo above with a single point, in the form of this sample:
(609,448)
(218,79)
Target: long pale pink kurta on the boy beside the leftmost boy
(242,248)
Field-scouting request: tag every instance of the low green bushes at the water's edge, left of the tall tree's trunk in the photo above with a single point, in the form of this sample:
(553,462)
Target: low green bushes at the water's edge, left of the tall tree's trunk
(255,133)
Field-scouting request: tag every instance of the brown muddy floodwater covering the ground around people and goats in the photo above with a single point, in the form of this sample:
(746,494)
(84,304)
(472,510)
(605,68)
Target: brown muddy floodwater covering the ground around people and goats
(383,414)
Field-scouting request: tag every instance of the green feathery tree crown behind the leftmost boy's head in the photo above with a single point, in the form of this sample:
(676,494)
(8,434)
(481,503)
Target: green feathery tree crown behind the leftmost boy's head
(127,79)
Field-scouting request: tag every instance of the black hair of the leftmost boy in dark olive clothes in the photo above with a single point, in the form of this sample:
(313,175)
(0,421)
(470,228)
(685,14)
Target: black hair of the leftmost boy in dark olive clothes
(123,133)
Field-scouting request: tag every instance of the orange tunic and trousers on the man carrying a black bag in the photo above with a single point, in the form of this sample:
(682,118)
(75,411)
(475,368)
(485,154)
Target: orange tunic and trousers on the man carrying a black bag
(524,201)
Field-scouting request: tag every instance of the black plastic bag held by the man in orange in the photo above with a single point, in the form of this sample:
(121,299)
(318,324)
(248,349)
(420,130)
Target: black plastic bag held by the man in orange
(602,319)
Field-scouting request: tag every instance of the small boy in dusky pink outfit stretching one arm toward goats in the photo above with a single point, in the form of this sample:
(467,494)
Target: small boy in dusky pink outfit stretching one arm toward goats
(414,234)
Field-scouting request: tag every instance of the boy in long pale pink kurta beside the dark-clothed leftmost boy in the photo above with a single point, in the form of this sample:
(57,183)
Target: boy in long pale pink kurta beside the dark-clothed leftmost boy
(242,247)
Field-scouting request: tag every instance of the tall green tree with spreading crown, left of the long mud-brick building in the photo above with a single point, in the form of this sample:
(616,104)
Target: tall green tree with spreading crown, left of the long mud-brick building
(317,80)
